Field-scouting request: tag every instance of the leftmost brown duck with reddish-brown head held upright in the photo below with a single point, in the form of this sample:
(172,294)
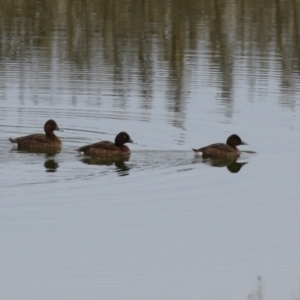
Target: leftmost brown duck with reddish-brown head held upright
(40,141)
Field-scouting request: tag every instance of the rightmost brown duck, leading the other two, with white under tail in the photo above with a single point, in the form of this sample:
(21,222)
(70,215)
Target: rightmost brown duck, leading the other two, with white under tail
(220,150)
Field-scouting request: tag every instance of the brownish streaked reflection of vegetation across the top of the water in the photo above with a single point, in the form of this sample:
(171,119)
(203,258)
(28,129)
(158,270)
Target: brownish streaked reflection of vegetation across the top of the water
(129,37)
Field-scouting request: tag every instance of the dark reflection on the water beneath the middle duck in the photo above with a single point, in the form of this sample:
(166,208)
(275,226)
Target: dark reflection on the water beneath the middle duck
(121,168)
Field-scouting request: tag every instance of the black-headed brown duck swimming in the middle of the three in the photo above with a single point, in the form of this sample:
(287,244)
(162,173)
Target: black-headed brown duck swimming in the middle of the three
(107,148)
